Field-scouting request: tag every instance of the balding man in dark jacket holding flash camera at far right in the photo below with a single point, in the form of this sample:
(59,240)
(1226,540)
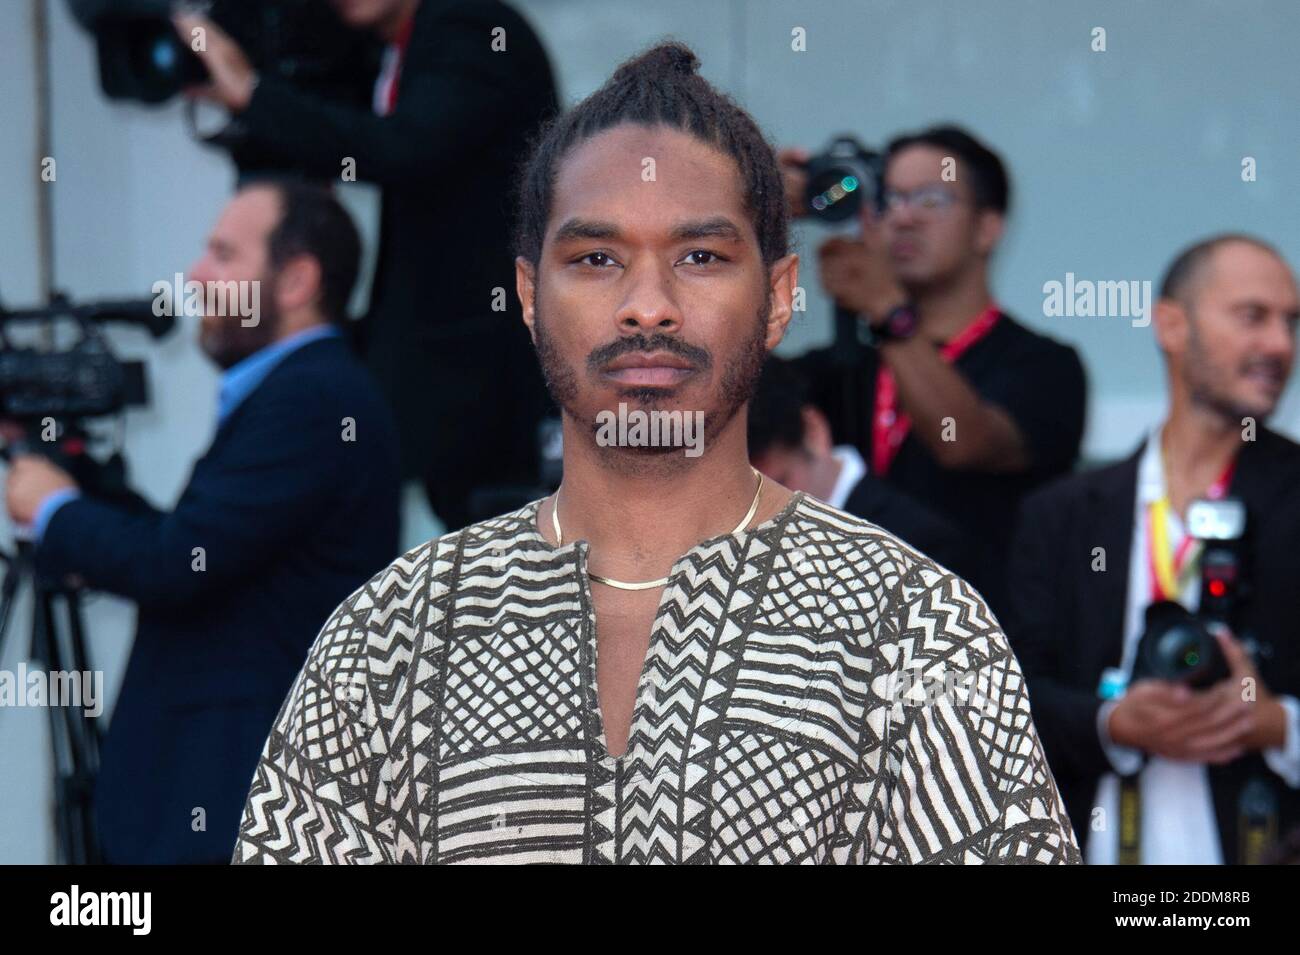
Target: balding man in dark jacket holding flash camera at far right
(1178,744)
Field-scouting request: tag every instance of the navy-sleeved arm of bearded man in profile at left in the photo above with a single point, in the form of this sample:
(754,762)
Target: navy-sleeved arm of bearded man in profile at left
(240,511)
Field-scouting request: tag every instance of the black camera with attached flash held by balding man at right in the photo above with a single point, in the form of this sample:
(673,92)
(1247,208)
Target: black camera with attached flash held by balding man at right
(1178,645)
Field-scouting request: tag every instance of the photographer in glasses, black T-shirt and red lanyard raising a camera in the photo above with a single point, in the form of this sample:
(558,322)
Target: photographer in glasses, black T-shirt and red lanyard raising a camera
(955,402)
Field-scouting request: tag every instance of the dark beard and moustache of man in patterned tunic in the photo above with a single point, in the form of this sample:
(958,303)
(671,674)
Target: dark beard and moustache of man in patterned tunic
(735,389)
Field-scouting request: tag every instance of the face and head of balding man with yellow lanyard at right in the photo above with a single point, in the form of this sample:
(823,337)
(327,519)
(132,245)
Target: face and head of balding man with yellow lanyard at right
(1241,333)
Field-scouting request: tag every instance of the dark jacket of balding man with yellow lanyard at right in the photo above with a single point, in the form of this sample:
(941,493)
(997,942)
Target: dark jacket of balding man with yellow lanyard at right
(1068,622)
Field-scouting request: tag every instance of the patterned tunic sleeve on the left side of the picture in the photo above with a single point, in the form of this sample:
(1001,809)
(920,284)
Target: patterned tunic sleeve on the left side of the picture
(319,793)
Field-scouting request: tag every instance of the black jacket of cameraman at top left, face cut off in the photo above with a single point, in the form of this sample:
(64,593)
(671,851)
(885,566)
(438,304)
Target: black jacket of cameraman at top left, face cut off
(462,379)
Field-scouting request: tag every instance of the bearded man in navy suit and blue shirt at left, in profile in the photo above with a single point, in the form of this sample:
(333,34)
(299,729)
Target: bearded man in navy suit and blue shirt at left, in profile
(292,509)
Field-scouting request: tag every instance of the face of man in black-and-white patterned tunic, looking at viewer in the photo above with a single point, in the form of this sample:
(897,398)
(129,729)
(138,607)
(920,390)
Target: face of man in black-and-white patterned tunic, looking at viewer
(652,292)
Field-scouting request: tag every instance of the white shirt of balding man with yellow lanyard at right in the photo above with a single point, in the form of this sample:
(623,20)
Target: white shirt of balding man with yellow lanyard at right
(1178,824)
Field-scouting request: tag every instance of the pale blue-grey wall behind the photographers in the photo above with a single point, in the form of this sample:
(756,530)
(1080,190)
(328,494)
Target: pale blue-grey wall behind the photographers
(1119,158)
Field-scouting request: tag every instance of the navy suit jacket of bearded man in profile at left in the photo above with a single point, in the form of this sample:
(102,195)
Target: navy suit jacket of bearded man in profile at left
(292,519)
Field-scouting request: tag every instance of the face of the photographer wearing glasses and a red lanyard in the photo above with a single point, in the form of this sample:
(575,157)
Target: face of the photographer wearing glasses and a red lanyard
(941,233)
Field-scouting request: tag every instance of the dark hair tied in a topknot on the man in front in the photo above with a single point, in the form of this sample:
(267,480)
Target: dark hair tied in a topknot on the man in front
(660,88)
